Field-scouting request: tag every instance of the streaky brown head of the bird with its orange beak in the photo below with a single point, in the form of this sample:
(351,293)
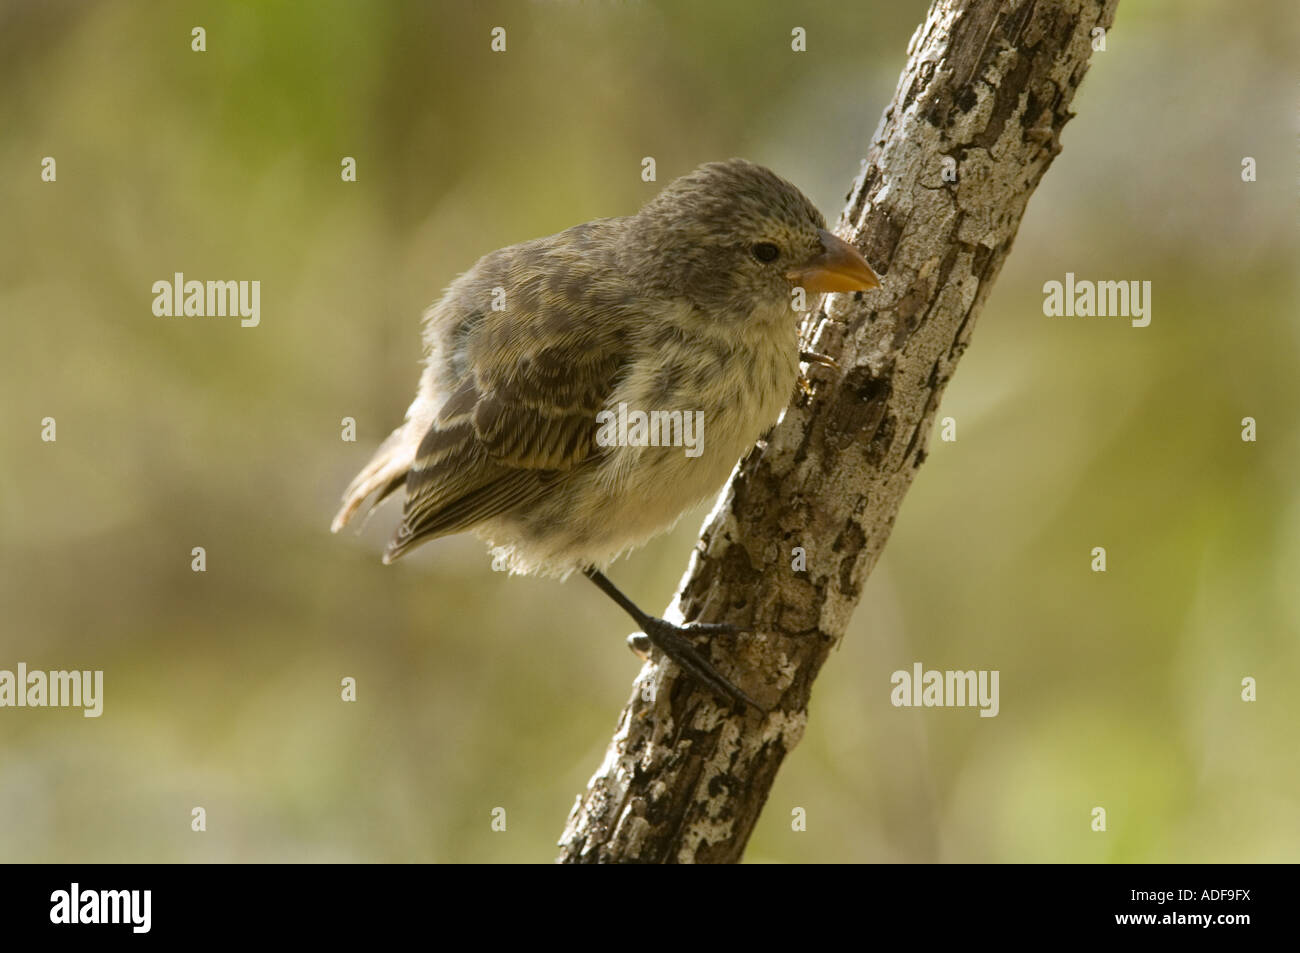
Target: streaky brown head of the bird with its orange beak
(734,237)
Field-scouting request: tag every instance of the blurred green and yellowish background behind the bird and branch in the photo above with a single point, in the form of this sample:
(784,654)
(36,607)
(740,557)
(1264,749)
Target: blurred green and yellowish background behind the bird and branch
(479,691)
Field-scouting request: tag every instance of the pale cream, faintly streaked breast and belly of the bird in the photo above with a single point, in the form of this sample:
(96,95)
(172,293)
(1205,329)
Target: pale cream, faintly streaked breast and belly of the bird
(687,410)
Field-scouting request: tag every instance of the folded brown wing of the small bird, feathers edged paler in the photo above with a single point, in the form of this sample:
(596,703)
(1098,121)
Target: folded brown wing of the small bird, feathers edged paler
(525,414)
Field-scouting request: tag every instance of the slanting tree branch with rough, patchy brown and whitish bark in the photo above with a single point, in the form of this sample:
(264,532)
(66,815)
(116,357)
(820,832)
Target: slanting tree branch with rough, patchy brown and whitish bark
(987,86)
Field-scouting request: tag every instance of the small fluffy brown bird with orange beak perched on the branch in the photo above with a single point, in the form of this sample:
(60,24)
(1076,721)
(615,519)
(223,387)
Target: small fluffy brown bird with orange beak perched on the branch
(530,357)
